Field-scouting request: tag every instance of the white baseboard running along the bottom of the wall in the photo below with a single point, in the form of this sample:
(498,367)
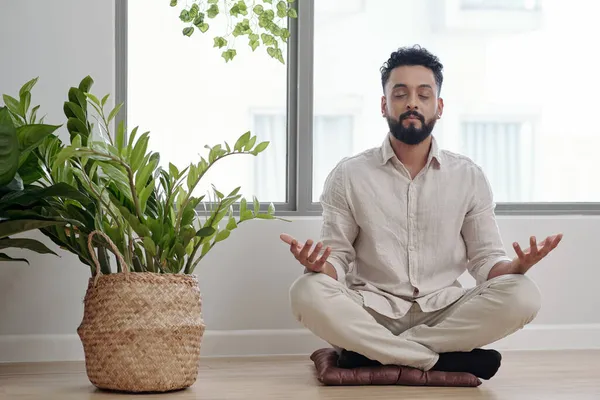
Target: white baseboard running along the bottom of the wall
(40,348)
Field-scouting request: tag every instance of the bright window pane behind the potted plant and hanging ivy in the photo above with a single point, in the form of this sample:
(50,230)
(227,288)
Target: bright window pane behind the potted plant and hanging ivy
(183,91)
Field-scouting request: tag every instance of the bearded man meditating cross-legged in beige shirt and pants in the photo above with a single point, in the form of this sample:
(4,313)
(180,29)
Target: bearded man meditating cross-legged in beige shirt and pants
(401,223)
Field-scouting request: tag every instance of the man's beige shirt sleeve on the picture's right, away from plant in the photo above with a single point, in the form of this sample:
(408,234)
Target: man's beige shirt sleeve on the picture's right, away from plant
(480,231)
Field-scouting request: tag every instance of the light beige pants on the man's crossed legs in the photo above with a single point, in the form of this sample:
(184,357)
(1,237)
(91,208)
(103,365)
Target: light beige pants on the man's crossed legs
(485,314)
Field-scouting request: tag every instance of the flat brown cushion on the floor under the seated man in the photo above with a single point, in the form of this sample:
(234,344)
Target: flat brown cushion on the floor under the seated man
(330,374)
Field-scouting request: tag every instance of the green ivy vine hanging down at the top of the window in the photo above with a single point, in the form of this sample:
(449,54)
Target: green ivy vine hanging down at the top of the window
(262,22)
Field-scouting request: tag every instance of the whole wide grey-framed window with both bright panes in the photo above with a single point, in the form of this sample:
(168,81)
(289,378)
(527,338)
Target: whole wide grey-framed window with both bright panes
(518,99)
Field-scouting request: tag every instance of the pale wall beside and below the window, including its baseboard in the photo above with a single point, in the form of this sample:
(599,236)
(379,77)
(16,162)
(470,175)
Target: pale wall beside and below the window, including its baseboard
(245,280)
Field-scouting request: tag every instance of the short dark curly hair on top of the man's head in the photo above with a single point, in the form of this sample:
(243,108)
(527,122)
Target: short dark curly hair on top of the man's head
(415,55)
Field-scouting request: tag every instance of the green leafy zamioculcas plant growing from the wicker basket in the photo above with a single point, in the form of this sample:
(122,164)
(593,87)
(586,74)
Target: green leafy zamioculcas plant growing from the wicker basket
(150,213)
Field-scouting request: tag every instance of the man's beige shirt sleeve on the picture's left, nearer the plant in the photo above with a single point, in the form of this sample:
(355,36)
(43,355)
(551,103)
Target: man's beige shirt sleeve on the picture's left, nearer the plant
(339,229)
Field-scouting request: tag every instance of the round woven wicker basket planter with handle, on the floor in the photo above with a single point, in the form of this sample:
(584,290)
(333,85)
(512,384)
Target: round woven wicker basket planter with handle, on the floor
(141,332)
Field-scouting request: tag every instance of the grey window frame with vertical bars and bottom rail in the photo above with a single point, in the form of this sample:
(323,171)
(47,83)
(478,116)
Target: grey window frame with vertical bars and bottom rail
(299,121)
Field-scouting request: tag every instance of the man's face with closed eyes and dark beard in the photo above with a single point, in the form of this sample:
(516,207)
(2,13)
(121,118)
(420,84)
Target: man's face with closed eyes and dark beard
(410,103)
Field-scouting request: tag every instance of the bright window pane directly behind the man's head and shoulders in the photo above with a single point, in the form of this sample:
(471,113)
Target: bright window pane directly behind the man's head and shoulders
(519,87)
